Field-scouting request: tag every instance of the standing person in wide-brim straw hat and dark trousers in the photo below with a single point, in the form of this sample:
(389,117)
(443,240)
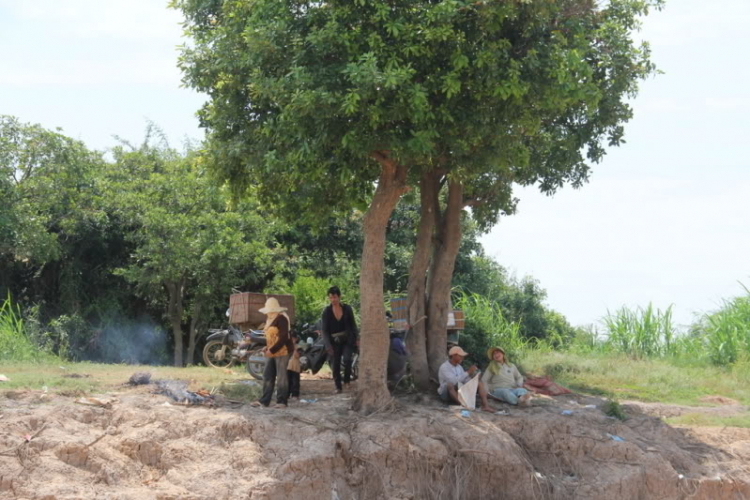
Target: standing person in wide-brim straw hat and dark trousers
(279,346)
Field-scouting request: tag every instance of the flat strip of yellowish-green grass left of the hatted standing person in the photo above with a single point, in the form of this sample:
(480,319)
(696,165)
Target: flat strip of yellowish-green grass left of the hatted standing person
(98,377)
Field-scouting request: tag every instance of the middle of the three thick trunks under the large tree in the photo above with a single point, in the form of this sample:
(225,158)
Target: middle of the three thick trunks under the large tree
(429,186)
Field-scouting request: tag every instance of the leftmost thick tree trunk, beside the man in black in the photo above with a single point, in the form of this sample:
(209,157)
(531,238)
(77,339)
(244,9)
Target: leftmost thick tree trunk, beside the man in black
(374,343)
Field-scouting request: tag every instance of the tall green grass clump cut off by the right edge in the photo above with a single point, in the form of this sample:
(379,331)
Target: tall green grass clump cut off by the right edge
(725,334)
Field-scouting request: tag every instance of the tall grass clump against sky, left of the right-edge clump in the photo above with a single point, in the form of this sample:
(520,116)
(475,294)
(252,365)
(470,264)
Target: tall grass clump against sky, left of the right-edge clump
(641,333)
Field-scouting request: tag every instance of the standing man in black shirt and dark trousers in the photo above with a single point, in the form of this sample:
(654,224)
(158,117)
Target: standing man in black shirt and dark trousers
(340,336)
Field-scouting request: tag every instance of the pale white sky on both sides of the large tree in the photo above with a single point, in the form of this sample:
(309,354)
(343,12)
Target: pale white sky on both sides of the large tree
(665,218)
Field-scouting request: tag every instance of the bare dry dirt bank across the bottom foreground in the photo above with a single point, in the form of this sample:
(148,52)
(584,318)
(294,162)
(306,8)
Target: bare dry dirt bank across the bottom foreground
(143,448)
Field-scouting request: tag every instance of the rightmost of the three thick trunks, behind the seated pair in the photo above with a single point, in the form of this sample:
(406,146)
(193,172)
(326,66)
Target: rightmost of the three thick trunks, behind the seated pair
(447,243)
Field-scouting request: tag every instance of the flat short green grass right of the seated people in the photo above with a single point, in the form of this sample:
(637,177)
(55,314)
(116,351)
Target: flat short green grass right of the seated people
(650,380)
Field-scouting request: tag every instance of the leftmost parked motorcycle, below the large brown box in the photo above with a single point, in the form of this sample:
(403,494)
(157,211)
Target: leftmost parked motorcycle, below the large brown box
(226,347)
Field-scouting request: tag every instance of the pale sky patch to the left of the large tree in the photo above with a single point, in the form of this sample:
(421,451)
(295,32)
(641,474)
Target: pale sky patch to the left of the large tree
(95,68)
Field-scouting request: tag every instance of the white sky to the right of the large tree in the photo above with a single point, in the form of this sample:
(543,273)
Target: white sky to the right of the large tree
(665,217)
